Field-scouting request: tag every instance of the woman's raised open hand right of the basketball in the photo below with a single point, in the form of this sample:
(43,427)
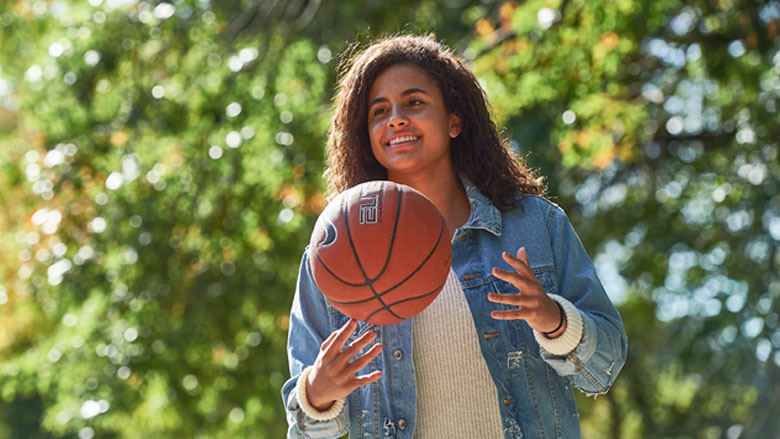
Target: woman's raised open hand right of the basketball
(533,304)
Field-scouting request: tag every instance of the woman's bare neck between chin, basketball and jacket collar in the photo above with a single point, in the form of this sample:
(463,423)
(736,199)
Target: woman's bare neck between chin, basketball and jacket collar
(445,191)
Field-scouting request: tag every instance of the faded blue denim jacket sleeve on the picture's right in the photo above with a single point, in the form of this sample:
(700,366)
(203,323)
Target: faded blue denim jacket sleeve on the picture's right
(595,362)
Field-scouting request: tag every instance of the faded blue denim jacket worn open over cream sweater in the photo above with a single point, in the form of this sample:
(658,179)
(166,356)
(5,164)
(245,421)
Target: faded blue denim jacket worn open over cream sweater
(533,386)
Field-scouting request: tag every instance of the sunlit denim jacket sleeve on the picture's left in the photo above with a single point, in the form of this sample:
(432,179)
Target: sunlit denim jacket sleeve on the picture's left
(309,327)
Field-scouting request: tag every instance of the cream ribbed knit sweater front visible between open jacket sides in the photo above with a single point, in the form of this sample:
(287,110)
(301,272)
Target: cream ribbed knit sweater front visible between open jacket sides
(456,397)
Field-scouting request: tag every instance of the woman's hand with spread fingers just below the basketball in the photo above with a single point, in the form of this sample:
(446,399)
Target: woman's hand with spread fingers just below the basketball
(333,374)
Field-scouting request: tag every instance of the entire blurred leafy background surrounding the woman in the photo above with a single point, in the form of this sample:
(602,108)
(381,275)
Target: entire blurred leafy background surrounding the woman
(161,169)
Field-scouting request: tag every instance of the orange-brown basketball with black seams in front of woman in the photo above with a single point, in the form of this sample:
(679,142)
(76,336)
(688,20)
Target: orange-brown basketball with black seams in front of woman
(380,252)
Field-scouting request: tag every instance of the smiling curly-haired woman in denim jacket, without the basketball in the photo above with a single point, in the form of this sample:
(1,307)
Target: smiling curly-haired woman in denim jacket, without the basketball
(523,315)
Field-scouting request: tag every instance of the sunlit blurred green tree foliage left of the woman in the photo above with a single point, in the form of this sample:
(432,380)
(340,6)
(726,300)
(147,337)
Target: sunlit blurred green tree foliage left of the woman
(161,202)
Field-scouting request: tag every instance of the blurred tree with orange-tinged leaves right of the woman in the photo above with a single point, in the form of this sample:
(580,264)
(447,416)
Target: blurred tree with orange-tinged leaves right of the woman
(663,115)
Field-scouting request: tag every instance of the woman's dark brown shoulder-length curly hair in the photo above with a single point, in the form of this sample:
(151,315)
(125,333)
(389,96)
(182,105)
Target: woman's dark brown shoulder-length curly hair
(478,153)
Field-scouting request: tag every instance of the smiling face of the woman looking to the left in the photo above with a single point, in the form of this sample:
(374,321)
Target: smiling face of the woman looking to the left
(408,125)
